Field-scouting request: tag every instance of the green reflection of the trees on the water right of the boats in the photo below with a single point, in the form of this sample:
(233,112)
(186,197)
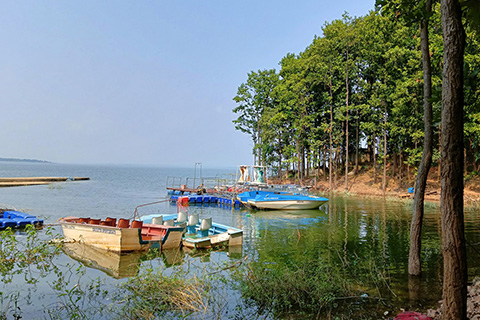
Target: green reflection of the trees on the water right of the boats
(368,239)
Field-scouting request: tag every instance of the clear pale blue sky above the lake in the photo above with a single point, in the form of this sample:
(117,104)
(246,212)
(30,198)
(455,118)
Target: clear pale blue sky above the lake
(147,82)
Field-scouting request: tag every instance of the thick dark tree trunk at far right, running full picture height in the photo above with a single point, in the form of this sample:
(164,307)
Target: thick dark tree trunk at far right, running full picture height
(451,201)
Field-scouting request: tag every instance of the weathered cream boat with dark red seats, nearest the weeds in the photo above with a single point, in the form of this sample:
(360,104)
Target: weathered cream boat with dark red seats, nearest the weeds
(122,236)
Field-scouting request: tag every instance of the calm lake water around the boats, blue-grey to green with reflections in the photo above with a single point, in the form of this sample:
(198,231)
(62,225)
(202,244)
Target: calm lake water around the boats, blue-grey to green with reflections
(363,235)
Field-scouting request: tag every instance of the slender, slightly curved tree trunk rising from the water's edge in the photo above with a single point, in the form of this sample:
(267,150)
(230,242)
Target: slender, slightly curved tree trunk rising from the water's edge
(414,259)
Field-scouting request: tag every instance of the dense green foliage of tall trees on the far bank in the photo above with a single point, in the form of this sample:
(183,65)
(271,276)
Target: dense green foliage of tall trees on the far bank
(375,61)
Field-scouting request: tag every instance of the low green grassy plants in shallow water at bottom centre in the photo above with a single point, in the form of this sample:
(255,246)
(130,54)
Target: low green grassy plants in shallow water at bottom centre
(308,285)
